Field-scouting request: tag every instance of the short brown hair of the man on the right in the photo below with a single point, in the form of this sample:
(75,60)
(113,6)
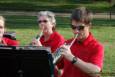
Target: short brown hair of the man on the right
(82,14)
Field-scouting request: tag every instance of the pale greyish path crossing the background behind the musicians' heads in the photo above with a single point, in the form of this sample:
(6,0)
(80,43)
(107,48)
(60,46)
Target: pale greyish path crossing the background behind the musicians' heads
(95,15)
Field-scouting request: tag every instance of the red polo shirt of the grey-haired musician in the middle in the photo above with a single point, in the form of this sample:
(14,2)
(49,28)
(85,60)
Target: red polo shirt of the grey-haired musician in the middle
(54,41)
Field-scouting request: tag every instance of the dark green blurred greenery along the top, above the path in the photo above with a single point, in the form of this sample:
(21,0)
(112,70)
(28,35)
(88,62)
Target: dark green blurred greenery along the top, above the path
(56,5)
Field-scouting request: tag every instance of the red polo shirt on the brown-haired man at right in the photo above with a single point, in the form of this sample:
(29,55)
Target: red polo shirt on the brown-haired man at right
(89,51)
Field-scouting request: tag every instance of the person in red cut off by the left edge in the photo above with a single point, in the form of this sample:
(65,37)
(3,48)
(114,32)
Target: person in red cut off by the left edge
(5,41)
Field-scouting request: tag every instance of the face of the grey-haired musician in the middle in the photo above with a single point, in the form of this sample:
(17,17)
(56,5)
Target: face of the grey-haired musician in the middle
(45,24)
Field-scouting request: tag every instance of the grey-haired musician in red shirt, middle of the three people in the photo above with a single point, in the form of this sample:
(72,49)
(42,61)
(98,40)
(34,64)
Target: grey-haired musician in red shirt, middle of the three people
(50,37)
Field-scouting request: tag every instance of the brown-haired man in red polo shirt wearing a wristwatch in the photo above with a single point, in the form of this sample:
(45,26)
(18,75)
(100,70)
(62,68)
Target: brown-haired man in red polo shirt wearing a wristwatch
(85,57)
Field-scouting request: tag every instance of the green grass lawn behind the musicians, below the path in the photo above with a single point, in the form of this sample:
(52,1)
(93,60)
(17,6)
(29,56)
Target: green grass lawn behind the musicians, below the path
(26,28)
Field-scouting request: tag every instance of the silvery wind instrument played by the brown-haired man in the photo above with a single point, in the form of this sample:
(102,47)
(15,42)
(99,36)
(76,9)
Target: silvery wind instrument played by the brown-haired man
(57,55)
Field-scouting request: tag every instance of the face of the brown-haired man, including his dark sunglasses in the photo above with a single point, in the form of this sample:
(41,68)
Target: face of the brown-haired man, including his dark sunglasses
(81,29)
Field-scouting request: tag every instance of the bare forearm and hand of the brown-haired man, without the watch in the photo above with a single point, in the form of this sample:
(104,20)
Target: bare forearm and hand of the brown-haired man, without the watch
(90,68)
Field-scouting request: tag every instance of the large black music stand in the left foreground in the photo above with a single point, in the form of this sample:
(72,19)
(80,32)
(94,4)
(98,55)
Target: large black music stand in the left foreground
(26,62)
